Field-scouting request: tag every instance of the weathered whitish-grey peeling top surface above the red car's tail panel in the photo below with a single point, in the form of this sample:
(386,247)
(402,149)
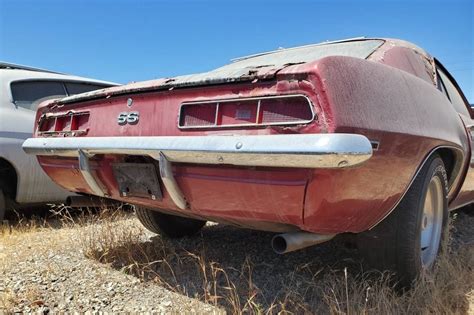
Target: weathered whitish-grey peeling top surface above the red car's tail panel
(260,66)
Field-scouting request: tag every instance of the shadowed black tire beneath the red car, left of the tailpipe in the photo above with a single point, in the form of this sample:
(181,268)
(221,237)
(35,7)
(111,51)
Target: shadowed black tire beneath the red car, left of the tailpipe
(169,225)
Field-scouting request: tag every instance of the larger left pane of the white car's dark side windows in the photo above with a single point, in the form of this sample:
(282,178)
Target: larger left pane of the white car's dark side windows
(28,94)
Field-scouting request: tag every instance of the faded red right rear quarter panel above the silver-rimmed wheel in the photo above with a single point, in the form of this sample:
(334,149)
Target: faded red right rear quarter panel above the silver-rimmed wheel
(408,118)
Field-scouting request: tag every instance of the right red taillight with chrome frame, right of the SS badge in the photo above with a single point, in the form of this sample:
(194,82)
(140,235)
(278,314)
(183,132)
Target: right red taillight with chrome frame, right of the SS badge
(262,111)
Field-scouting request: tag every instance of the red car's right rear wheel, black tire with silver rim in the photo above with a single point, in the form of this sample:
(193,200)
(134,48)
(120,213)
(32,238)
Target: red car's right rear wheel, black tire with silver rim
(409,239)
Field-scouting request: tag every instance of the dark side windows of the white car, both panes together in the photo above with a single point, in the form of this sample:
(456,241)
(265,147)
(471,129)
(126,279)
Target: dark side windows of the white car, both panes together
(29,94)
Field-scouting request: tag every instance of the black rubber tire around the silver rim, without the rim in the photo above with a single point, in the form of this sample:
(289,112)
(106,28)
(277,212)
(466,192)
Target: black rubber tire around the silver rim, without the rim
(395,243)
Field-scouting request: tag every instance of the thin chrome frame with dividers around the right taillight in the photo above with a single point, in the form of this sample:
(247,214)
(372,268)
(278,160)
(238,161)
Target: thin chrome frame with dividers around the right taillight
(218,101)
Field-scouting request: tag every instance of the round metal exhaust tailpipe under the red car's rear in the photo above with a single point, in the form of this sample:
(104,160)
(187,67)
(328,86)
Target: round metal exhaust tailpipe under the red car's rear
(288,242)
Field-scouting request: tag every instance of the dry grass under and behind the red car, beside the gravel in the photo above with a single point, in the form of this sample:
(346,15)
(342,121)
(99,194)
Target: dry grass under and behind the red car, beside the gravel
(124,245)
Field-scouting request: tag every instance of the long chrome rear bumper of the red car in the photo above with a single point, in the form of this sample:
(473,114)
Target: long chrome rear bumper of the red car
(289,150)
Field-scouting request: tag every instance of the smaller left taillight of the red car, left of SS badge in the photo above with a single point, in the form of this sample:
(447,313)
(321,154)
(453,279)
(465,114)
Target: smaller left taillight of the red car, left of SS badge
(73,124)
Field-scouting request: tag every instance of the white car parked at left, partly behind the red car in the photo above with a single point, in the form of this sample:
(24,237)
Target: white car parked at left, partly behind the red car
(22,181)
